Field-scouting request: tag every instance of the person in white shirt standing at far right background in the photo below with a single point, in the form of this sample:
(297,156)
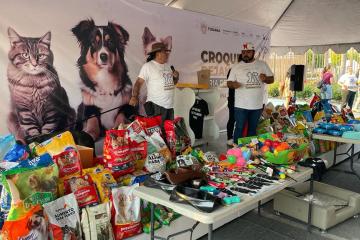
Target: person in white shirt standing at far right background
(349,86)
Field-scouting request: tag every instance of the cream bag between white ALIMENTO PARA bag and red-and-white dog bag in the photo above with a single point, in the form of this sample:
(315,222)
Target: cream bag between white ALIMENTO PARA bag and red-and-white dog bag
(96,222)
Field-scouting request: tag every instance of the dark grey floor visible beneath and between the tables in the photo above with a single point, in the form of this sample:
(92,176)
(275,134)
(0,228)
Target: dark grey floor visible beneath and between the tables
(273,227)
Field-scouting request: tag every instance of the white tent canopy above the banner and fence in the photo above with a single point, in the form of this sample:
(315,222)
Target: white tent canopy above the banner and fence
(297,25)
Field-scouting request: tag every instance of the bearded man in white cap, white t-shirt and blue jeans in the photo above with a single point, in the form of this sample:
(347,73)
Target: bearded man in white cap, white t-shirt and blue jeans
(248,78)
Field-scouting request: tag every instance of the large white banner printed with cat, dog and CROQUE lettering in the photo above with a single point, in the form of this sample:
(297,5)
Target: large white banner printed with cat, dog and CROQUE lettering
(63,61)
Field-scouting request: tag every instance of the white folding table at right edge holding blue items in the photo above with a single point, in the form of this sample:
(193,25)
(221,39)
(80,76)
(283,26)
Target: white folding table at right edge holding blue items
(350,155)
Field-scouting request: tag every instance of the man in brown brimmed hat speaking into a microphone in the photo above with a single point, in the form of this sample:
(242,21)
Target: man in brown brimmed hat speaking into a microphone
(160,81)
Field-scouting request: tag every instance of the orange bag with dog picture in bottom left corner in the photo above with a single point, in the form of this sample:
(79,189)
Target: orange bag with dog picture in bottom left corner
(30,225)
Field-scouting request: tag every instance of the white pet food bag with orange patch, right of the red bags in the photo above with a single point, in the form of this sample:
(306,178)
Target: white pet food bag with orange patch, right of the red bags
(158,154)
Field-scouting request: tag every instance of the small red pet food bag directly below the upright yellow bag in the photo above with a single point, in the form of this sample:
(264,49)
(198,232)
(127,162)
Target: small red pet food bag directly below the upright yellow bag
(68,162)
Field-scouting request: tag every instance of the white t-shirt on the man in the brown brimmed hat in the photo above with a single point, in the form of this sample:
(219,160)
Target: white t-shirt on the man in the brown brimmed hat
(160,84)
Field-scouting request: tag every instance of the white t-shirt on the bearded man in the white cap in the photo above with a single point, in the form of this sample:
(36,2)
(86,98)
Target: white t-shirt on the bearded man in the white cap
(251,94)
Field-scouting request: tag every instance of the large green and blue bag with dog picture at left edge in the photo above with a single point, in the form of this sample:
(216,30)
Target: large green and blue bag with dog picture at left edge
(33,181)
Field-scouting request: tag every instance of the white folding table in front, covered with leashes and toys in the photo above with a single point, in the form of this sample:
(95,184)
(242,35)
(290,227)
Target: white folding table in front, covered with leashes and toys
(155,196)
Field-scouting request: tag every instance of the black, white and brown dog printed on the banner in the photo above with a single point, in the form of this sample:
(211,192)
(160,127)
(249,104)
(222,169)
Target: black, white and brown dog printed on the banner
(104,76)
